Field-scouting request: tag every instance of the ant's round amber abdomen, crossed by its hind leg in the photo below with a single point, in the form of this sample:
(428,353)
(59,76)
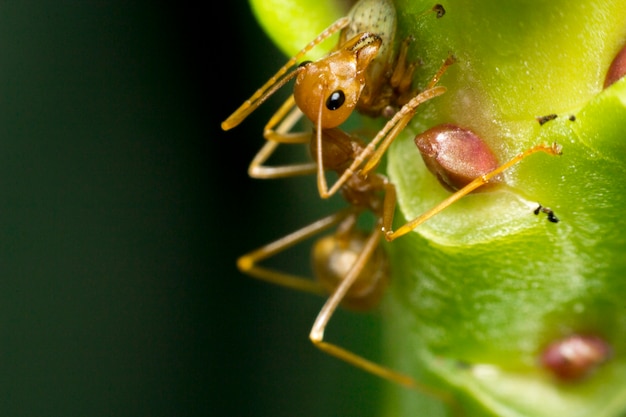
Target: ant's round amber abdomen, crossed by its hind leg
(333,258)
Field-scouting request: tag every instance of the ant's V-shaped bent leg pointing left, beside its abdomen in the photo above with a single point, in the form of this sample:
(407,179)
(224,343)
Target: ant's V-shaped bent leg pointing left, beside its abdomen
(248,262)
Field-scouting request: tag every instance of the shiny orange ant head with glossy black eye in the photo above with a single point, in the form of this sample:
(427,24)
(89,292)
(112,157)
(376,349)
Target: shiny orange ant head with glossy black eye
(328,90)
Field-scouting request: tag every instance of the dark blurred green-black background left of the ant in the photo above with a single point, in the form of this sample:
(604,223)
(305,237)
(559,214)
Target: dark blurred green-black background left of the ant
(124,207)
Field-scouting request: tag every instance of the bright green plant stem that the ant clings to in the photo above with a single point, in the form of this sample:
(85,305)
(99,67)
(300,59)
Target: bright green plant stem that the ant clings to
(482,288)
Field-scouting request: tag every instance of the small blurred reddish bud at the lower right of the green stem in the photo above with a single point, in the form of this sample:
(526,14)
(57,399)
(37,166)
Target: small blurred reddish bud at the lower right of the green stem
(575,357)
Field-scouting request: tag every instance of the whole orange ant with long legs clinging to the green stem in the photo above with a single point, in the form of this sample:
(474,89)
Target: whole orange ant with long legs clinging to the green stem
(349,264)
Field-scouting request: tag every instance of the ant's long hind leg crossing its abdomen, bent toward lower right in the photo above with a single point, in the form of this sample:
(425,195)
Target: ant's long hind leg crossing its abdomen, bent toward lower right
(317,331)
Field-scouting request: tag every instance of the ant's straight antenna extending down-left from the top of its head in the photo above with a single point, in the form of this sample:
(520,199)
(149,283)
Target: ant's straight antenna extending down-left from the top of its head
(279,79)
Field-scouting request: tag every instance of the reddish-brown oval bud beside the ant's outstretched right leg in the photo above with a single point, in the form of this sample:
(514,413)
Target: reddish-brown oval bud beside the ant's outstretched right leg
(455,155)
